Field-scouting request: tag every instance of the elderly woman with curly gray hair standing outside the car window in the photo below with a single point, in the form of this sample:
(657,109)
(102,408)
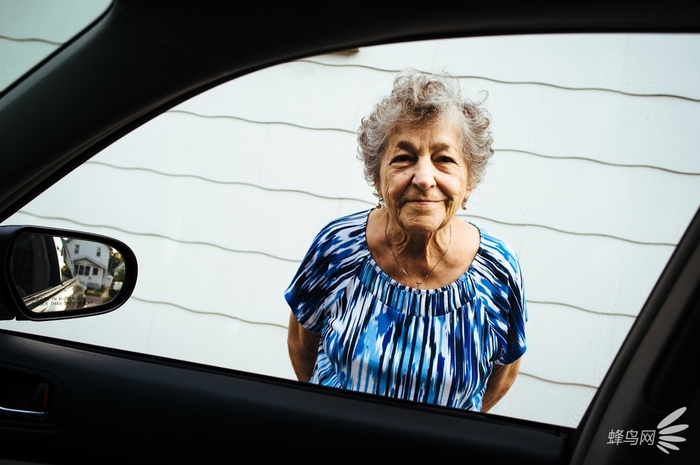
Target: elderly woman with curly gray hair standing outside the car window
(407,300)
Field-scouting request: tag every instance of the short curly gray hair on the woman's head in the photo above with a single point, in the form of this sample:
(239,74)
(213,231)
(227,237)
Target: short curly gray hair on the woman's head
(418,98)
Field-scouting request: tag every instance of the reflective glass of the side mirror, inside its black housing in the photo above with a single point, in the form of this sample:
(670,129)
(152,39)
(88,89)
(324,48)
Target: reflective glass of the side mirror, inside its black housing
(54,274)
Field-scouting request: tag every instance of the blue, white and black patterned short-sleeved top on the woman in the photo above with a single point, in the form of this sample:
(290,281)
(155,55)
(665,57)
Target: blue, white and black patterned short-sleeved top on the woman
(382,337)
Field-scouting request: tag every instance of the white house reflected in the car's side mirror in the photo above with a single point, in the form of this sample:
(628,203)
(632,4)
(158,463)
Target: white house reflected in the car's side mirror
(91,261)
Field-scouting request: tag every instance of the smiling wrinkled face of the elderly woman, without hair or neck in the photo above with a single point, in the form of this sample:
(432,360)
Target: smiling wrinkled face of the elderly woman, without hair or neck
(423,175)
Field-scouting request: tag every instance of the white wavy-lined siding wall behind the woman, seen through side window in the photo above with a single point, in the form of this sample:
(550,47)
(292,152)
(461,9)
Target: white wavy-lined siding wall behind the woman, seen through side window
(595,177)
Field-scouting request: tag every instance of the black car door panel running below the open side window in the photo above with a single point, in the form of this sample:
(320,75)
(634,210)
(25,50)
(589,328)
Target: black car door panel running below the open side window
(118,403)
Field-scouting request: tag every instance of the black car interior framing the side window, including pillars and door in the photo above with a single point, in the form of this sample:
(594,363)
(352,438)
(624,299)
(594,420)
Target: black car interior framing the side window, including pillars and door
(144,57)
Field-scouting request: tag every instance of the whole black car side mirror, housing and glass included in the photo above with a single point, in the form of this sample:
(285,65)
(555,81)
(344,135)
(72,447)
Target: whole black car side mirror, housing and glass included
(53,274)
